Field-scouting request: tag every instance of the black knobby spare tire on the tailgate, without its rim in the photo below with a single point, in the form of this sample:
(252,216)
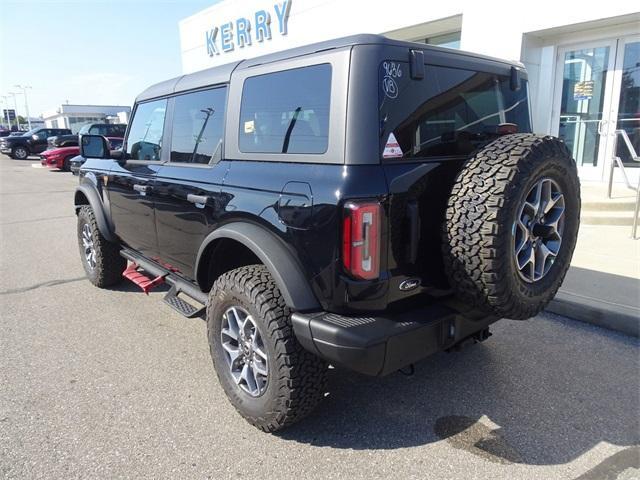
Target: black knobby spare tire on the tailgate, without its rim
(478,228)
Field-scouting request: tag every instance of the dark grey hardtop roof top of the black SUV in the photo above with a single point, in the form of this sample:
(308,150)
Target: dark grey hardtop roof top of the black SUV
(222,73)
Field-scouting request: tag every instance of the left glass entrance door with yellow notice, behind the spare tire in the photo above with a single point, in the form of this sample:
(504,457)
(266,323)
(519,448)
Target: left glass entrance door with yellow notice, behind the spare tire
(583,94)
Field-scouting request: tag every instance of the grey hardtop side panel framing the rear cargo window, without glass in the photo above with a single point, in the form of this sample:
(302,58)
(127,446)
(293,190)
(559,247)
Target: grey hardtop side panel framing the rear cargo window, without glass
(338,60)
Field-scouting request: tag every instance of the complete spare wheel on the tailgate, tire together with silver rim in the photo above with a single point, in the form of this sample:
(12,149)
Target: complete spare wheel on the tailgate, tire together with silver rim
(511,225)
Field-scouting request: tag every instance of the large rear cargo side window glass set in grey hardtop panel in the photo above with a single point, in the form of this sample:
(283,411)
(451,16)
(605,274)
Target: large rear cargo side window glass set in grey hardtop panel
(286,112)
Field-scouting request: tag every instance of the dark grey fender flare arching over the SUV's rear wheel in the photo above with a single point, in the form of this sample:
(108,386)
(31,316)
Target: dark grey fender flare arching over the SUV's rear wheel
(274,255)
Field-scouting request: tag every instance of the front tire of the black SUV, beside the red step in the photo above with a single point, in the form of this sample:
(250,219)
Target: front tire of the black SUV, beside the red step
(109,263)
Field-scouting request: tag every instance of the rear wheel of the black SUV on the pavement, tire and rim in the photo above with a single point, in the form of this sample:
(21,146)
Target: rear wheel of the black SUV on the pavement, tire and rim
(266,374)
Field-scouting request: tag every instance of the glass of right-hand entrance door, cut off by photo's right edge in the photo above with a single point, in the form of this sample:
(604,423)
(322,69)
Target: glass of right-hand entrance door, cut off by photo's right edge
(629,102)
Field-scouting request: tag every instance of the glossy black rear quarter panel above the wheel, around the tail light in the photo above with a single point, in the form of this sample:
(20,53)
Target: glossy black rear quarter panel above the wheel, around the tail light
(262,193)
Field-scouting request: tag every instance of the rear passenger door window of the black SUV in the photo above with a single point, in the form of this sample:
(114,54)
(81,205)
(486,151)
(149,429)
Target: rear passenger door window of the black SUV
(198,122)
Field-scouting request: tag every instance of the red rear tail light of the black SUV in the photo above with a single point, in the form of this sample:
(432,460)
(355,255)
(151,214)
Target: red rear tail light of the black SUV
(361,239)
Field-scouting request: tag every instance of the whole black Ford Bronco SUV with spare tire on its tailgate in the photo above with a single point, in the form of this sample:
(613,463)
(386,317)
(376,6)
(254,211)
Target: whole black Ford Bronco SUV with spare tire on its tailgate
(361,202)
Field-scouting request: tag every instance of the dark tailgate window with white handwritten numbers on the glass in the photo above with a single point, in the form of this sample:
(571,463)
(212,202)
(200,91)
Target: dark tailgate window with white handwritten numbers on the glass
(450,112)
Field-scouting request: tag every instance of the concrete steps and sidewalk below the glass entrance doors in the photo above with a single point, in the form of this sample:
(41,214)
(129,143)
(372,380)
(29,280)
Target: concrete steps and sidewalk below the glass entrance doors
(602,286)
